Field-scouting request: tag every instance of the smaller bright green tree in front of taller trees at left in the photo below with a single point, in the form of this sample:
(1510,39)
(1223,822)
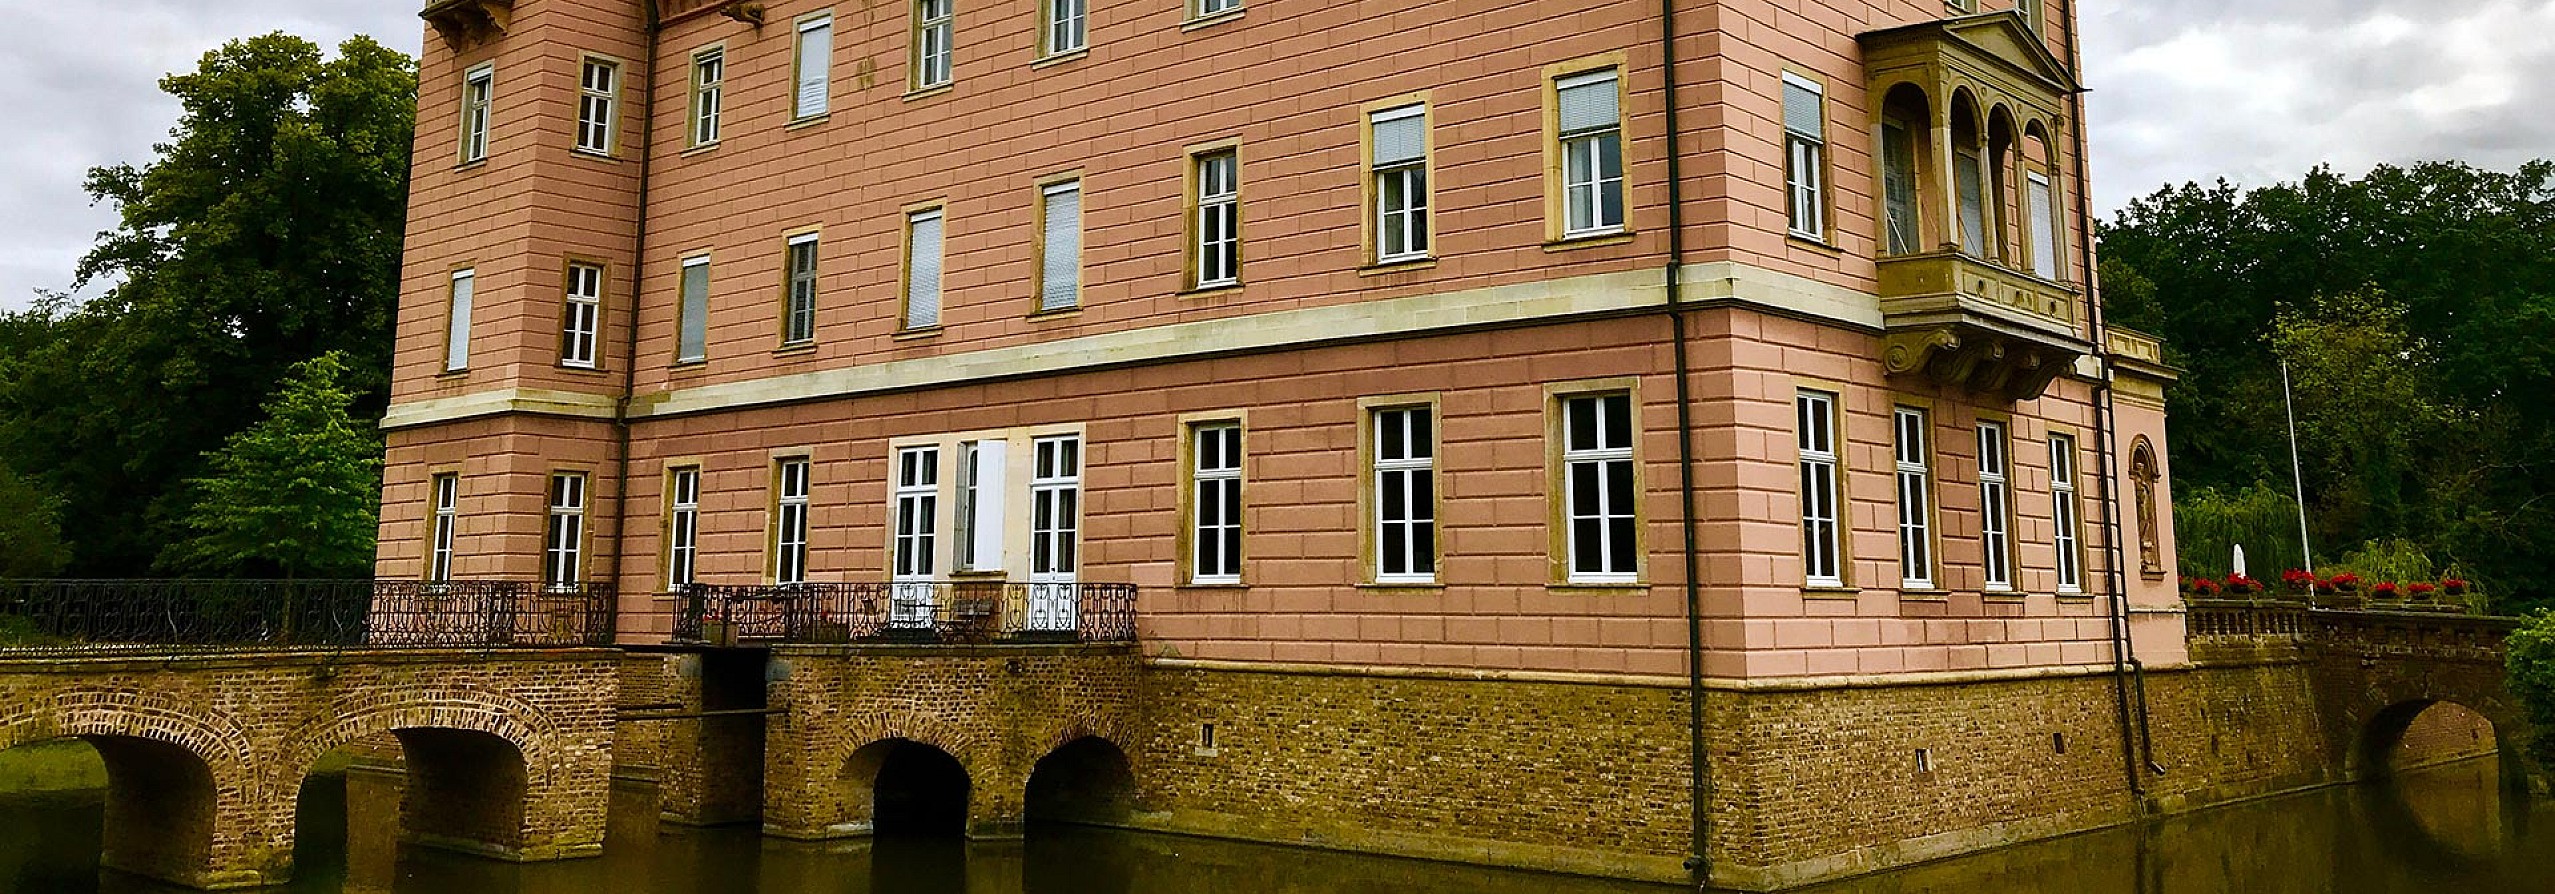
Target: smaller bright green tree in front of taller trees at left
(293,494)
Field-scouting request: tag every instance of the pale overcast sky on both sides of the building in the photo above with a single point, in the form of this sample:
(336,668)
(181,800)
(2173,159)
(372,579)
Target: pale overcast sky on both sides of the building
(2250,91)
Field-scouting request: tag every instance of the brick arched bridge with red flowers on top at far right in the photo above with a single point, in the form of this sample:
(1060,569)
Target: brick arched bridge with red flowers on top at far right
(2375,670)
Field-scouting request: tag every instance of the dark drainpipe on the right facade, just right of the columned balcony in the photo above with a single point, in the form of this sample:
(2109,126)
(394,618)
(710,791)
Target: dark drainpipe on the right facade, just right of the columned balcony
(2130,678)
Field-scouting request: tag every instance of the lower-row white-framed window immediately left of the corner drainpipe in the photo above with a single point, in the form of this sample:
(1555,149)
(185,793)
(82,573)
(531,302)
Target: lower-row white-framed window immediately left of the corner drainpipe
(1598,489)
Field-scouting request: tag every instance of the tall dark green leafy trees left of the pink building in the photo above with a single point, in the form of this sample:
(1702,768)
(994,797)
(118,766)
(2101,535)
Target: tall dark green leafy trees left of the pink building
(264,234)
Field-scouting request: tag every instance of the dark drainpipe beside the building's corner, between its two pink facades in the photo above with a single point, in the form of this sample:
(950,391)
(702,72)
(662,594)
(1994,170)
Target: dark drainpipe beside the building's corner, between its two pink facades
(1698,760)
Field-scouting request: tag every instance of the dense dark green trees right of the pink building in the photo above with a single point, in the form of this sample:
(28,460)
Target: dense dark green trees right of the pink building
(2418,315)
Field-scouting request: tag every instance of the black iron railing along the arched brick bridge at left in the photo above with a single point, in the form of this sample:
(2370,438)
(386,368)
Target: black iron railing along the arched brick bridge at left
(303,614)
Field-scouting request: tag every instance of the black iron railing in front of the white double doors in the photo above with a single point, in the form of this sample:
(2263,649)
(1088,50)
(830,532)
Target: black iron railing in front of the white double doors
(911,612)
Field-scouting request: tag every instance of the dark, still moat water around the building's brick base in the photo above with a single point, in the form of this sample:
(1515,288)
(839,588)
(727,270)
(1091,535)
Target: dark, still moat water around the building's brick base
(2429,831)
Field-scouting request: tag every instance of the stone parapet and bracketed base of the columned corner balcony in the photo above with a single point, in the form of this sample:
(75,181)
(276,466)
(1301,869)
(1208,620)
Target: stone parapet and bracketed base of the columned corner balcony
(1976,326)
